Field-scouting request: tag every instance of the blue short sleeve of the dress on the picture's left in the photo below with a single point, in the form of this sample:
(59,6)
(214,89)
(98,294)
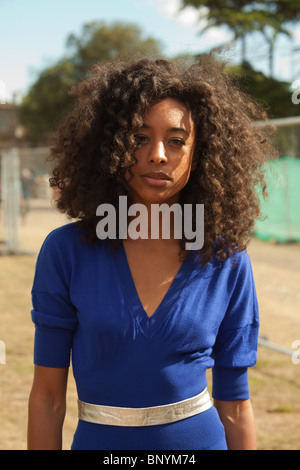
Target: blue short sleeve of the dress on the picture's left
(53,313)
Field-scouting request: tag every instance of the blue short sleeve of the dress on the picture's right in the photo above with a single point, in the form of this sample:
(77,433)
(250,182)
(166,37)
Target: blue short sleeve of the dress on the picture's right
(235,349)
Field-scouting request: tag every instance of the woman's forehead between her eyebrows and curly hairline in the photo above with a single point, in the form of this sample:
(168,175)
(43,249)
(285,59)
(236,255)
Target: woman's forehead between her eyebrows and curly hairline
(170,111)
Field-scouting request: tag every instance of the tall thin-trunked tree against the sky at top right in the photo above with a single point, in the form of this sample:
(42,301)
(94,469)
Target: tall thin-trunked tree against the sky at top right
(270,17)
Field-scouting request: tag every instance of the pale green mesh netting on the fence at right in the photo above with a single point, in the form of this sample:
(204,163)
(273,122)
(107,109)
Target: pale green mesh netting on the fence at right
(280,219)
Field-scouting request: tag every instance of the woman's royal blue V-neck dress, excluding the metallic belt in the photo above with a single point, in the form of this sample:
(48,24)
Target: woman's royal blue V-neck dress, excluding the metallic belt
(85,301)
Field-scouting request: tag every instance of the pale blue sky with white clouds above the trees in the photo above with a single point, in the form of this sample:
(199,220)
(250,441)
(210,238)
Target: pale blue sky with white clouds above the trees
(33,35)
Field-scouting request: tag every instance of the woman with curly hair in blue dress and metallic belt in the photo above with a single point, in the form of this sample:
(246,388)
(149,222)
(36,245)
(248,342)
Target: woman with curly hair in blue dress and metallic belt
(144,317)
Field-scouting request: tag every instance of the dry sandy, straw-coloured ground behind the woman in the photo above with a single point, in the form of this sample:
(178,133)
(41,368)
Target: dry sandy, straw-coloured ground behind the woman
(275,381)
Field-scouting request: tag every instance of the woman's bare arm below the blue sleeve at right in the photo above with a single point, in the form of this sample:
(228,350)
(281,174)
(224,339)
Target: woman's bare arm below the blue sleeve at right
(238,420)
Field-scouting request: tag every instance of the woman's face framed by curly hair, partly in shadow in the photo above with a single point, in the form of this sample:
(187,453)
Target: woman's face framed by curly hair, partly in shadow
(165,154)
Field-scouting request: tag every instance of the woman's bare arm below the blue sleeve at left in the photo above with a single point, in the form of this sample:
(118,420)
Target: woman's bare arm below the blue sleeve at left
(47,407)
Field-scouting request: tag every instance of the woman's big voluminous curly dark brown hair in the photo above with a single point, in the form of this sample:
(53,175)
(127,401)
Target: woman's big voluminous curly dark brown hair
(94,146)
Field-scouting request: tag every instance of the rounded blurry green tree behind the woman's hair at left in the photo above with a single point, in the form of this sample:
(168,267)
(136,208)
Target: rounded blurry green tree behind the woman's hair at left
(48,98)
